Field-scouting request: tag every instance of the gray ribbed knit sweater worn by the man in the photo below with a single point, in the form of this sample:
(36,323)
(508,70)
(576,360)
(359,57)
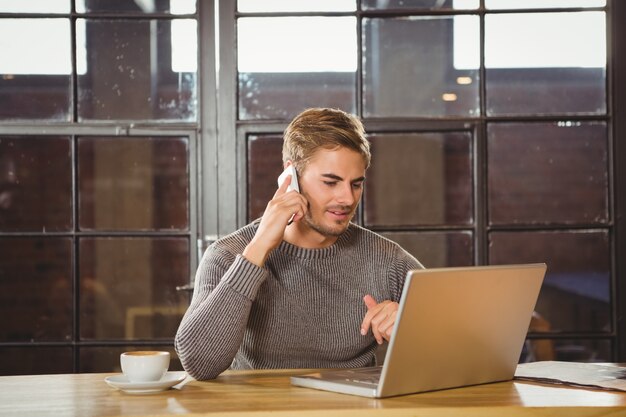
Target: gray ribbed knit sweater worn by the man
(303,309)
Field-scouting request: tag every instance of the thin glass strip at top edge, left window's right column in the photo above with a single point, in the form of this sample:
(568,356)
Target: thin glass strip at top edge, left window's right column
(133,7)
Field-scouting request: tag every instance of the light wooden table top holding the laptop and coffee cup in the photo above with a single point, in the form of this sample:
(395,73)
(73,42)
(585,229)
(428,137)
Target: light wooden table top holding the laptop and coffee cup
(265,393)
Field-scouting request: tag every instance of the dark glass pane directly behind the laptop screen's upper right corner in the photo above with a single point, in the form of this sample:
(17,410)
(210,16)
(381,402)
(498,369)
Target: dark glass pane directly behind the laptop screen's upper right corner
(576,292)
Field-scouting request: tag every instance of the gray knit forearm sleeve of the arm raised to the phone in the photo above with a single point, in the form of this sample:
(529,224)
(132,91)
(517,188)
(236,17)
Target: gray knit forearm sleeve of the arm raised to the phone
(213,327)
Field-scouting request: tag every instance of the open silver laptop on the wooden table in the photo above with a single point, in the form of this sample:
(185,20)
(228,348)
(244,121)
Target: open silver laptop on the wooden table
(455,327)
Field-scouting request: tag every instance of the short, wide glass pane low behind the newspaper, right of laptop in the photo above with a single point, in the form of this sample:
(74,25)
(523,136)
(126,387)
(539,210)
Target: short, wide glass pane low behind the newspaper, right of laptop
(568,350)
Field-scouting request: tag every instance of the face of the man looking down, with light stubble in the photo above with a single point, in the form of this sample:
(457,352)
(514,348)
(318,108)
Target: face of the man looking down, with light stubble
(332,183)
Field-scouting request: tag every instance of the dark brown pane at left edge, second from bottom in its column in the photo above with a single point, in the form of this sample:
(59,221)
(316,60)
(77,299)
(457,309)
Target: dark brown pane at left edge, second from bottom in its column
(36,282)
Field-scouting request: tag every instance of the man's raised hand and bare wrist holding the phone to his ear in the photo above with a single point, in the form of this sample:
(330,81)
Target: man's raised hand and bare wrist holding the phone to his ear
(274,222)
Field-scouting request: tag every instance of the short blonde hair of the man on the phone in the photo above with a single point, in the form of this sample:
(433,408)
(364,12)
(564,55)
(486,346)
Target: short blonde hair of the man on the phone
(323,128)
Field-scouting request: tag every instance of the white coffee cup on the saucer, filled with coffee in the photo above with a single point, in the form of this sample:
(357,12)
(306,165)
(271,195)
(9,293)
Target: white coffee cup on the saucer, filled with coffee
(145,365)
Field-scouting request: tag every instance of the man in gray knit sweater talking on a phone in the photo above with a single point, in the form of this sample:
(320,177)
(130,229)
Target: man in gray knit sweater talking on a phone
(320,292)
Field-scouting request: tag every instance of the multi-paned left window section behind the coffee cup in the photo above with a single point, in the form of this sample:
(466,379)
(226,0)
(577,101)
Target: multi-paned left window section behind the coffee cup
(98,212)
